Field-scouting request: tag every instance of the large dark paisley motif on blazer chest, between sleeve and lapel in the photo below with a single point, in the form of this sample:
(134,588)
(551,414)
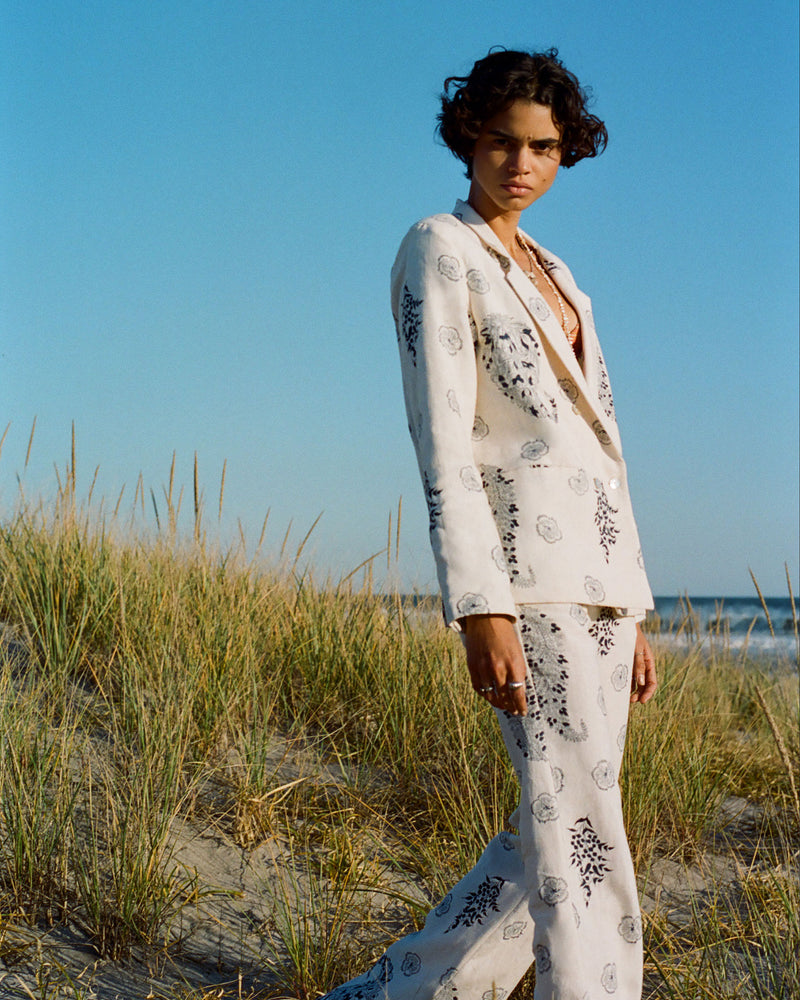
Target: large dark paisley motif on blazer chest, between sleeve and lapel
(510,353)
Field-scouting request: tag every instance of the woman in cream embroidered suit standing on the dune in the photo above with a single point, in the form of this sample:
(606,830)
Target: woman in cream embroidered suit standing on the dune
(538,558)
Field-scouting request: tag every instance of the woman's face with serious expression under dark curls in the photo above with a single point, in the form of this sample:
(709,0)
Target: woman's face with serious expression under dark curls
(515,160)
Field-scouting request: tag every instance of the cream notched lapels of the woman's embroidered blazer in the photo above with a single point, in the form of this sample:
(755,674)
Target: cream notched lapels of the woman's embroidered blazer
(587,378)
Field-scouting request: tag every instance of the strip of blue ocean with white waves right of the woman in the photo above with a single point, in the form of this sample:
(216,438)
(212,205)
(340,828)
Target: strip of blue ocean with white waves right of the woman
(735,623)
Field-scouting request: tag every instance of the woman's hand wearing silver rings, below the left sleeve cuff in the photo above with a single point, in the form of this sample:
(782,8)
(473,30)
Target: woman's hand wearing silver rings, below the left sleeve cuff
(496,662)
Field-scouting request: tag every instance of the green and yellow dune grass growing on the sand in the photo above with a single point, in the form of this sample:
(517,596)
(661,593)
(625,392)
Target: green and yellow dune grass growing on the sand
(139,667)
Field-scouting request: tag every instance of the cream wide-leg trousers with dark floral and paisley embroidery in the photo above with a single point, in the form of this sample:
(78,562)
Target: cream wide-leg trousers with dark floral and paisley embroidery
(561,892)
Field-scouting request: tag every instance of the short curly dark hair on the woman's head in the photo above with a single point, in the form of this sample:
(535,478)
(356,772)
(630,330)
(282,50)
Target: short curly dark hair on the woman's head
(505,76)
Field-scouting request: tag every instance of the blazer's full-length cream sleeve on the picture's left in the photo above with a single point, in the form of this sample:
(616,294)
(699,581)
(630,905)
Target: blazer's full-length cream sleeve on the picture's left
(430,303)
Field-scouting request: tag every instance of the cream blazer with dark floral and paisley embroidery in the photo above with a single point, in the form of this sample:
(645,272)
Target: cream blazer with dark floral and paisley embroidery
(516,440)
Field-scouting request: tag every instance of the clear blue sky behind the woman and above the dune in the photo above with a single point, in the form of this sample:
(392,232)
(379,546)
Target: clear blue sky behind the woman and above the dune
(201,202)
